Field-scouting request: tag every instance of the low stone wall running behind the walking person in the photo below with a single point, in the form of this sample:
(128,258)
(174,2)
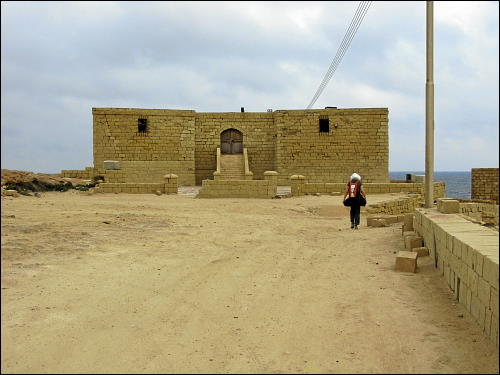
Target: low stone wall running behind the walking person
(300,187)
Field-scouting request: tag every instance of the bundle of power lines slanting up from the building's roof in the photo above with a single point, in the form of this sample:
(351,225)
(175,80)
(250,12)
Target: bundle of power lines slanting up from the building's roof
(346,41)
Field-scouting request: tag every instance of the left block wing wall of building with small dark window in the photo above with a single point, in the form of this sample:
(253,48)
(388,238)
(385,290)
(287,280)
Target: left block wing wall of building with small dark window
(167,146)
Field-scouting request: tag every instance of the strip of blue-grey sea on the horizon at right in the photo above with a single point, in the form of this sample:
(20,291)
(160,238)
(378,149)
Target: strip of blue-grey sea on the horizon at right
(457,184)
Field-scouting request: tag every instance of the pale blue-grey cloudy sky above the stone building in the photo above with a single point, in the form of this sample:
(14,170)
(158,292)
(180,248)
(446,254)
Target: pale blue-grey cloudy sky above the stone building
(60,59)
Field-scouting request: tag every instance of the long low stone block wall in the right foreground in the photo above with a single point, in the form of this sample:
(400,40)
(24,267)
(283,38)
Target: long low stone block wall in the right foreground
(466,254)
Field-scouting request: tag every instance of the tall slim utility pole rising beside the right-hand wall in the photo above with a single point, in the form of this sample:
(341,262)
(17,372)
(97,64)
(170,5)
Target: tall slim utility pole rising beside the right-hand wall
(429,110)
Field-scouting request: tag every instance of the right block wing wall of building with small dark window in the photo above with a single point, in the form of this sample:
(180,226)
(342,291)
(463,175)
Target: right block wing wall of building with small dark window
(357,142)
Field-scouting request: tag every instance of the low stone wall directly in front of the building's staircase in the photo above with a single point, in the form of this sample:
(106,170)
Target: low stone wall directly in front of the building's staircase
(266,188)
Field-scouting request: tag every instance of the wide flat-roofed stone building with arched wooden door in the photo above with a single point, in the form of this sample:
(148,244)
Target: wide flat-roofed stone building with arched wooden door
(326,145)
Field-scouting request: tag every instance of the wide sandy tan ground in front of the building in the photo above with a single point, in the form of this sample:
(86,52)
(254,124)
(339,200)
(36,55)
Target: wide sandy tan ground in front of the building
(173,284)
